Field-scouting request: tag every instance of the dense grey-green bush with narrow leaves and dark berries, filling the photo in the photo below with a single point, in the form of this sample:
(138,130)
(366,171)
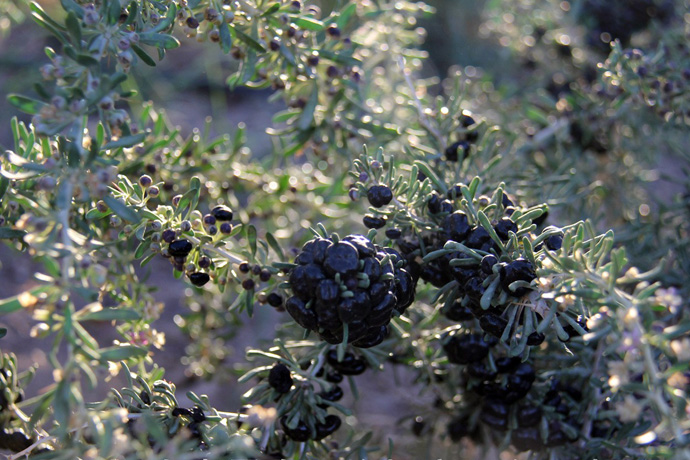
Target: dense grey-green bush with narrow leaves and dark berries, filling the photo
(455,229)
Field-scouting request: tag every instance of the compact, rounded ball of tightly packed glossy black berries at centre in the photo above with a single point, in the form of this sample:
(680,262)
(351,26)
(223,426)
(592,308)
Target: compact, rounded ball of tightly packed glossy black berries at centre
(348,285)
